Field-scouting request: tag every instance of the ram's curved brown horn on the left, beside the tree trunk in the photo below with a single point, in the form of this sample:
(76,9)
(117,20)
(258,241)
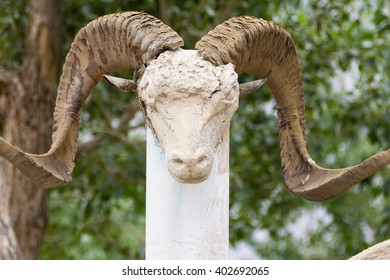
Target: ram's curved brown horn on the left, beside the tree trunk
(107,44)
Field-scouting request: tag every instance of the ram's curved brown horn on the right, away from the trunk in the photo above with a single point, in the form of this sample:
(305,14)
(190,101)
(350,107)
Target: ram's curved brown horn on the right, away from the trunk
(265,50)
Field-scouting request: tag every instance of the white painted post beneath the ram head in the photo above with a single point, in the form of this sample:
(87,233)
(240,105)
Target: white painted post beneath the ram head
(186,221)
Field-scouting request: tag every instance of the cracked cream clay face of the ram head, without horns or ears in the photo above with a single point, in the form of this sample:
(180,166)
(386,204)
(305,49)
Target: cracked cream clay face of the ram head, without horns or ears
(188,103)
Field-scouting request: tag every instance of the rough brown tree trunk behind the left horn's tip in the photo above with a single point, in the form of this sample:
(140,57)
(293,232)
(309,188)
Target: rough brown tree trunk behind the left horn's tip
(27,100)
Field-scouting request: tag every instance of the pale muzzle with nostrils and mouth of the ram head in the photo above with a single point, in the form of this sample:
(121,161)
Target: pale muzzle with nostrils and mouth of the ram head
(190,168)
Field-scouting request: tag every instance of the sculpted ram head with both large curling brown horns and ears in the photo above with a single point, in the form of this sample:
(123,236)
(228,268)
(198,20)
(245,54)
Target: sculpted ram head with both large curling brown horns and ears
(188,98)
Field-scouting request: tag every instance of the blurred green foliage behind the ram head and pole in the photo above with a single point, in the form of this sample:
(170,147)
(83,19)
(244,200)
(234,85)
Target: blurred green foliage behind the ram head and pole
(343,47)
